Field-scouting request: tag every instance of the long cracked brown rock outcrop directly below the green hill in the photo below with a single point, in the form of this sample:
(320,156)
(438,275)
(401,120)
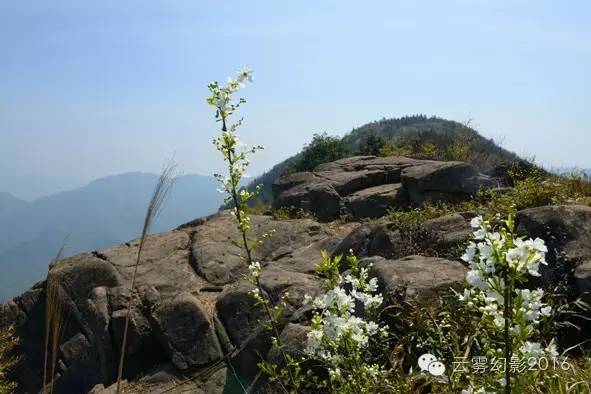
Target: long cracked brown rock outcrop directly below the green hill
(368,186)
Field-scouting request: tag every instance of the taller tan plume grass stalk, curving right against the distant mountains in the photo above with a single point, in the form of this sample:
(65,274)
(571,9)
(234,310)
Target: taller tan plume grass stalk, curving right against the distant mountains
(159,195)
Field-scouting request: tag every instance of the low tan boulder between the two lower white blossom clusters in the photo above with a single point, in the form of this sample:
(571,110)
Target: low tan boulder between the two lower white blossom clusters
(416,278)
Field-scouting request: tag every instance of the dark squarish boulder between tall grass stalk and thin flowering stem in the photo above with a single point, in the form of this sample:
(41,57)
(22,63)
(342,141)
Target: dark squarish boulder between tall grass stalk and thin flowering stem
(186,332)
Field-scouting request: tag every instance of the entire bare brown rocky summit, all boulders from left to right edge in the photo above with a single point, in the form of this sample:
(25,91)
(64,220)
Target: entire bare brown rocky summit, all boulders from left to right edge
(194,326)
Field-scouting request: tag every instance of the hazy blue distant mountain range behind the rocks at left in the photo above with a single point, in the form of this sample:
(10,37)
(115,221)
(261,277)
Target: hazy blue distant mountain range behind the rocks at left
(105,212)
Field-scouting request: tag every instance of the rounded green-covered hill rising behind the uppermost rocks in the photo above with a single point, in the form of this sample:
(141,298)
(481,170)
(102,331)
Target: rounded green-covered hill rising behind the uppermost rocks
(416,136)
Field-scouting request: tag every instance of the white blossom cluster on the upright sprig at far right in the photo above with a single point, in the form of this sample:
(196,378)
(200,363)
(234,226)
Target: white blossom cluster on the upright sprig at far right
(498,261)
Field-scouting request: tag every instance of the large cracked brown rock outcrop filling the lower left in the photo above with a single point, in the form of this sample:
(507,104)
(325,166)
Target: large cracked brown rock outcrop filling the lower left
(190,308)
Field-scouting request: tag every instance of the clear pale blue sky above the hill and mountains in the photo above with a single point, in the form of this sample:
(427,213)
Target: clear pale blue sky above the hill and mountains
(96,88)
